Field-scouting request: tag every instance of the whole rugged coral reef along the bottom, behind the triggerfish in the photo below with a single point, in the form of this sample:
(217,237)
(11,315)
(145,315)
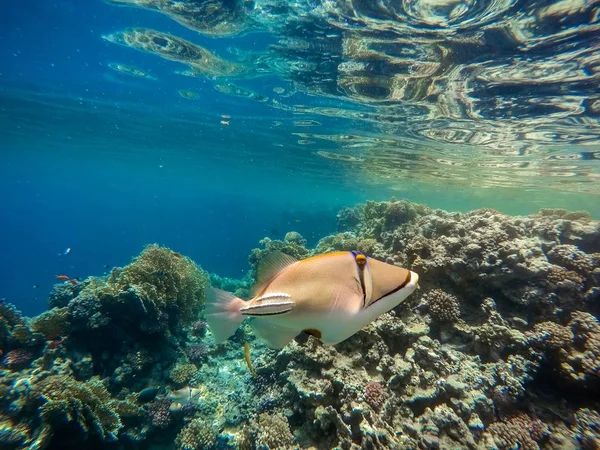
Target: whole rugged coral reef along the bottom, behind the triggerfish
(500,349)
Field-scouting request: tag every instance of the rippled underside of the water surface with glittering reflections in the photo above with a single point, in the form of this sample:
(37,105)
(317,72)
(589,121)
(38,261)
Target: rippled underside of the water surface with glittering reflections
(482,94)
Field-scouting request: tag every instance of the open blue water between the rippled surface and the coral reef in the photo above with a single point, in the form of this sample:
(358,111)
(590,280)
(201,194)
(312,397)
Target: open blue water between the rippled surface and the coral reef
(104,163)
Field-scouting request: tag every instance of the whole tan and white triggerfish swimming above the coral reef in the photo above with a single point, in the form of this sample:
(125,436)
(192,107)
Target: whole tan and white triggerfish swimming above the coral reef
(330,296)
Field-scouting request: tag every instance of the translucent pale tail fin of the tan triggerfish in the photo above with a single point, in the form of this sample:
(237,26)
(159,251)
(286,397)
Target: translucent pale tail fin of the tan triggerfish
(223,313)
